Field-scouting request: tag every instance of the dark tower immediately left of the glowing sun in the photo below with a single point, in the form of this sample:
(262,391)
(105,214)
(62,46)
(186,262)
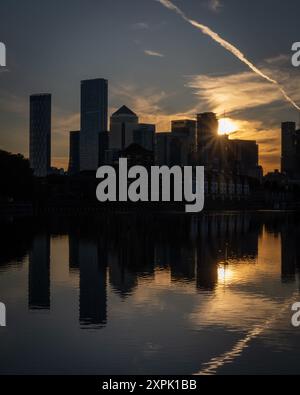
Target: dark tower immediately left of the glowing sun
(207,139)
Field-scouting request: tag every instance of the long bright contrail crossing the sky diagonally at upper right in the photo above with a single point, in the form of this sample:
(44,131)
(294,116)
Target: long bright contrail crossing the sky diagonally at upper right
(229,47)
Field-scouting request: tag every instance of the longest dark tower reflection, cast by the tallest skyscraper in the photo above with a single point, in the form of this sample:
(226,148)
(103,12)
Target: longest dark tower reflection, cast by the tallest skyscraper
(93,292)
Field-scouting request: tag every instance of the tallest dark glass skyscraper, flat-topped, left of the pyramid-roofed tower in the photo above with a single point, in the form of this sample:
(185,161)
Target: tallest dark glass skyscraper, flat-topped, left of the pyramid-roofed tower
(94,109)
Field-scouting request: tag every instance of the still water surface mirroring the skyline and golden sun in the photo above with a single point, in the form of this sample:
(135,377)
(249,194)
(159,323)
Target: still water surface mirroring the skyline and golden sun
(151,295)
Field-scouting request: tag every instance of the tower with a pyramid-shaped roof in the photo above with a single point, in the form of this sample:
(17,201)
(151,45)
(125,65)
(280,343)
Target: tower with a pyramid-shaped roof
(122,124)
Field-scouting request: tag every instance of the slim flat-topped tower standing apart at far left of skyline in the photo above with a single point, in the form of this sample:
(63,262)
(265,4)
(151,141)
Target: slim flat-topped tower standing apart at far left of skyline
(40,134)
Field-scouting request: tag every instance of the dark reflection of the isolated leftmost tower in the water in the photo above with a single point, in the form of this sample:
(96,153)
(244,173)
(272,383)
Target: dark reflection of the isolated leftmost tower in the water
(39,273)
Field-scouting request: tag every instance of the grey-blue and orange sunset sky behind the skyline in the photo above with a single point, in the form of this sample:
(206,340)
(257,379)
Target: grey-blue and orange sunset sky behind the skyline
(156,63)
